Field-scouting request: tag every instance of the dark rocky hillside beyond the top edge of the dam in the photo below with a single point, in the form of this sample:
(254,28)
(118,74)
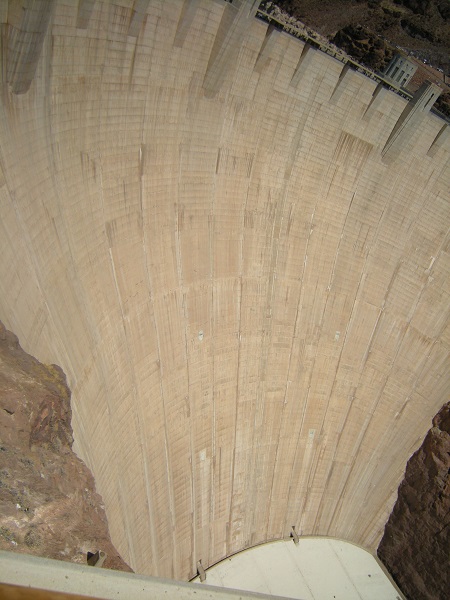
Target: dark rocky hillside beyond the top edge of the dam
(372,31)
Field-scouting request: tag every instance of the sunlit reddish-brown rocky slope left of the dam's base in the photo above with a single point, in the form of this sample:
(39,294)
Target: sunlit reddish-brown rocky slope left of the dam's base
(48,503)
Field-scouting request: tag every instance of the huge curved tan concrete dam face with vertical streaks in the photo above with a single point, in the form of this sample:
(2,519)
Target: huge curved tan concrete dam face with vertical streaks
(237,249)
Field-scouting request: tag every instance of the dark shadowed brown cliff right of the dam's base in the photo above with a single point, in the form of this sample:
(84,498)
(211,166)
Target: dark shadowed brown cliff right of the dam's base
(416,542)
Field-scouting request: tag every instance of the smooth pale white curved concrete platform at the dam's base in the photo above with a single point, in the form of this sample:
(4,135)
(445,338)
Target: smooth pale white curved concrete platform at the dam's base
(314,569)
